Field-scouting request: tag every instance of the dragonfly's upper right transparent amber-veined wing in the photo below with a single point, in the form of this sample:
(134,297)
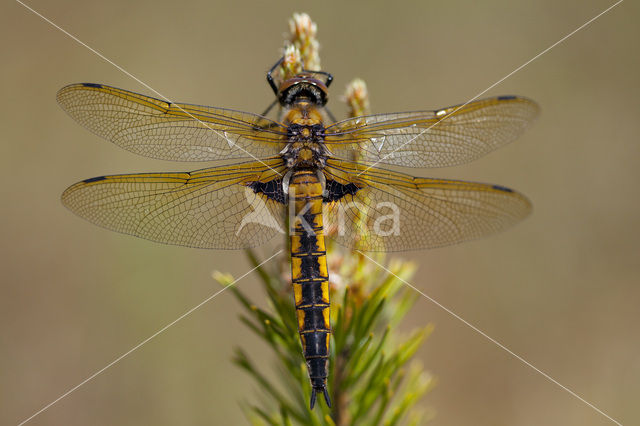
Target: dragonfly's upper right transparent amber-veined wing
(445,137)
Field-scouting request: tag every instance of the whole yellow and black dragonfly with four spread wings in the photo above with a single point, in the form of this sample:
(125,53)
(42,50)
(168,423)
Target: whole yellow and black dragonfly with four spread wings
(302,174)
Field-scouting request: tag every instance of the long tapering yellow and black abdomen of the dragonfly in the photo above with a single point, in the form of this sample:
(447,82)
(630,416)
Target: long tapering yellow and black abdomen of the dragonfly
(310,277)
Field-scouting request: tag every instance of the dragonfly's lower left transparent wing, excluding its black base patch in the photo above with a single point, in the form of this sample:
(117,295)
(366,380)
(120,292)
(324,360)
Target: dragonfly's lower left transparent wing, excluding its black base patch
(209,208)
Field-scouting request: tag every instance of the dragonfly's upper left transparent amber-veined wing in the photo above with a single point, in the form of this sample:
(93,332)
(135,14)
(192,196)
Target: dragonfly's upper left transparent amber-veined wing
(159,129)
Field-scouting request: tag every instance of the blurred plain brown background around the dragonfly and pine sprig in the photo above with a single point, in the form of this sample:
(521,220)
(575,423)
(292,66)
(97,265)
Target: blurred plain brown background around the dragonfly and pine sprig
(561,289)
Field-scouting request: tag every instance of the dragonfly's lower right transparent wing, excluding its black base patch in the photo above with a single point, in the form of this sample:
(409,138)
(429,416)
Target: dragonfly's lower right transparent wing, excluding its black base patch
(393,212)
